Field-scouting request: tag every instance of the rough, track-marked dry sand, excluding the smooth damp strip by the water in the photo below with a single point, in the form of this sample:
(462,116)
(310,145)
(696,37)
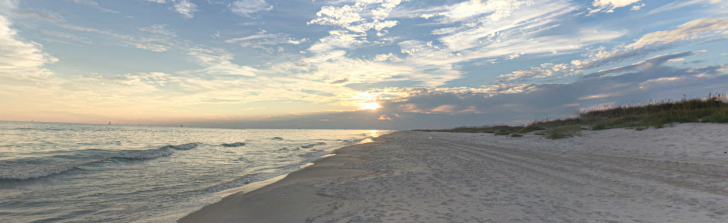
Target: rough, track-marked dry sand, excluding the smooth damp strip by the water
(466,178)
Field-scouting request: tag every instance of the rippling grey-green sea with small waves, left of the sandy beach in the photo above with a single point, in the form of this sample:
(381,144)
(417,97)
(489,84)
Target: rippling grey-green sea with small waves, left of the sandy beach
(54,172)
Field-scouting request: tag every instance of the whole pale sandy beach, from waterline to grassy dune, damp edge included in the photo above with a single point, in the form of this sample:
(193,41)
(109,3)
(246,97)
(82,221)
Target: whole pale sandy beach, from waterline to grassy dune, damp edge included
(677,174)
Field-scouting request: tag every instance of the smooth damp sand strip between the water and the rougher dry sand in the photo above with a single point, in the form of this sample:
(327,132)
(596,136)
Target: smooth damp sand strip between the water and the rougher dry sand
(290,198)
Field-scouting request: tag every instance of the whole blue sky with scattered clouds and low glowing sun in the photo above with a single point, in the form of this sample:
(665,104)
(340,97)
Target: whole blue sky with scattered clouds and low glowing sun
(364,64)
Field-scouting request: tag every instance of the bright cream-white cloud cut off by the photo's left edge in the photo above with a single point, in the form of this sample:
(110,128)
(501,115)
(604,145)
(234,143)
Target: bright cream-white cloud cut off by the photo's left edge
(20,58)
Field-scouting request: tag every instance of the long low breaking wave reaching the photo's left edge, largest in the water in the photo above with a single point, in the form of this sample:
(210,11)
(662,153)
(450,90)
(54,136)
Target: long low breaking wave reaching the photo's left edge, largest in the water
(136,155)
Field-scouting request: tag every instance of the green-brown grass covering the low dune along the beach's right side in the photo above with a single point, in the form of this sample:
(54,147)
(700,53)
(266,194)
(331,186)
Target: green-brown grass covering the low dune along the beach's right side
(654,114)
